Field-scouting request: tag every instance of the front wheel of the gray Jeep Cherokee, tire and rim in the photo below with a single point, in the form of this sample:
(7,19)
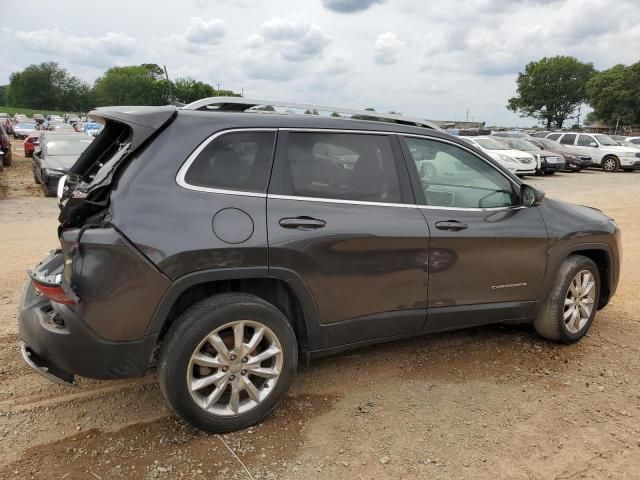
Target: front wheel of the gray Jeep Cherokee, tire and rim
(571,305)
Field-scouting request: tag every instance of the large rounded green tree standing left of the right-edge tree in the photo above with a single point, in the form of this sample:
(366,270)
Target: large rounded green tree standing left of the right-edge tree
(551,89)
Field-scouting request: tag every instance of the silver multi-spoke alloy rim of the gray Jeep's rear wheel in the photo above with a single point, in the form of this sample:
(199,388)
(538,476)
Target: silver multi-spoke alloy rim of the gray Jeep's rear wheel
(234,368)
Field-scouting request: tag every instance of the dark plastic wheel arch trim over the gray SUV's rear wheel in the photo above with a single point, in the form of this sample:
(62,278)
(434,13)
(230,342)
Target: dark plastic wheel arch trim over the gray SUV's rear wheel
(281,287)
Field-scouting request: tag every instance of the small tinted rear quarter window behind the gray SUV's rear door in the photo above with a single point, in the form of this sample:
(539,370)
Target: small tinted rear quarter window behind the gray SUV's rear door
(235,161)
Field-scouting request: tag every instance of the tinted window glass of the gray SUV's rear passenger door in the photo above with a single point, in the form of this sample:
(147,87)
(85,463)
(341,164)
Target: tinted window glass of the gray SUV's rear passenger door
(342,166)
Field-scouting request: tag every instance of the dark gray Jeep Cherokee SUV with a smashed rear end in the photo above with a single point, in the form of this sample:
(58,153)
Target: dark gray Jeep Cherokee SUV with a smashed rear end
(226,245)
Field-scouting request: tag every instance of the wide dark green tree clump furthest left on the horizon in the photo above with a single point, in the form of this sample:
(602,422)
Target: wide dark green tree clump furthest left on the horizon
(46,86)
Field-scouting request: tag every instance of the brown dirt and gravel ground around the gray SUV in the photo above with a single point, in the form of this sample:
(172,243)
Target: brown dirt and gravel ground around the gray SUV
(494,402)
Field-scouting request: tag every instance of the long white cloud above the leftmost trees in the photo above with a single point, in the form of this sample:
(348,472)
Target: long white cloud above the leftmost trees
(95,51)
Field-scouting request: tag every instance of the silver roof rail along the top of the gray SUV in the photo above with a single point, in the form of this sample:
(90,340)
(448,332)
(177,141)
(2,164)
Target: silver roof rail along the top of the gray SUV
(241,104)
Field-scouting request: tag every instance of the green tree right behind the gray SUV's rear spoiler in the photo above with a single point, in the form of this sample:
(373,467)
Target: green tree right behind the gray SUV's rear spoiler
(133,85)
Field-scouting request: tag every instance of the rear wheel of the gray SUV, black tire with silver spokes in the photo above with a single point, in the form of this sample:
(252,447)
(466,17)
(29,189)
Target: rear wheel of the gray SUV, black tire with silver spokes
(177,368)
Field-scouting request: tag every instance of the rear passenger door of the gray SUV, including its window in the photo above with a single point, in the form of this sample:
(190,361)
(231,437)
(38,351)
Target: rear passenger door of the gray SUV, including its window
(342,218)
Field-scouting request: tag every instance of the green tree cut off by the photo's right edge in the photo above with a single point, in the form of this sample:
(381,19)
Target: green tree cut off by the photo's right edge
(614,94)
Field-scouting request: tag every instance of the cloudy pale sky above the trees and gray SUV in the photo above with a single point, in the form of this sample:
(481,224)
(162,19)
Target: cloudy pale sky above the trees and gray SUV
(432,59)
